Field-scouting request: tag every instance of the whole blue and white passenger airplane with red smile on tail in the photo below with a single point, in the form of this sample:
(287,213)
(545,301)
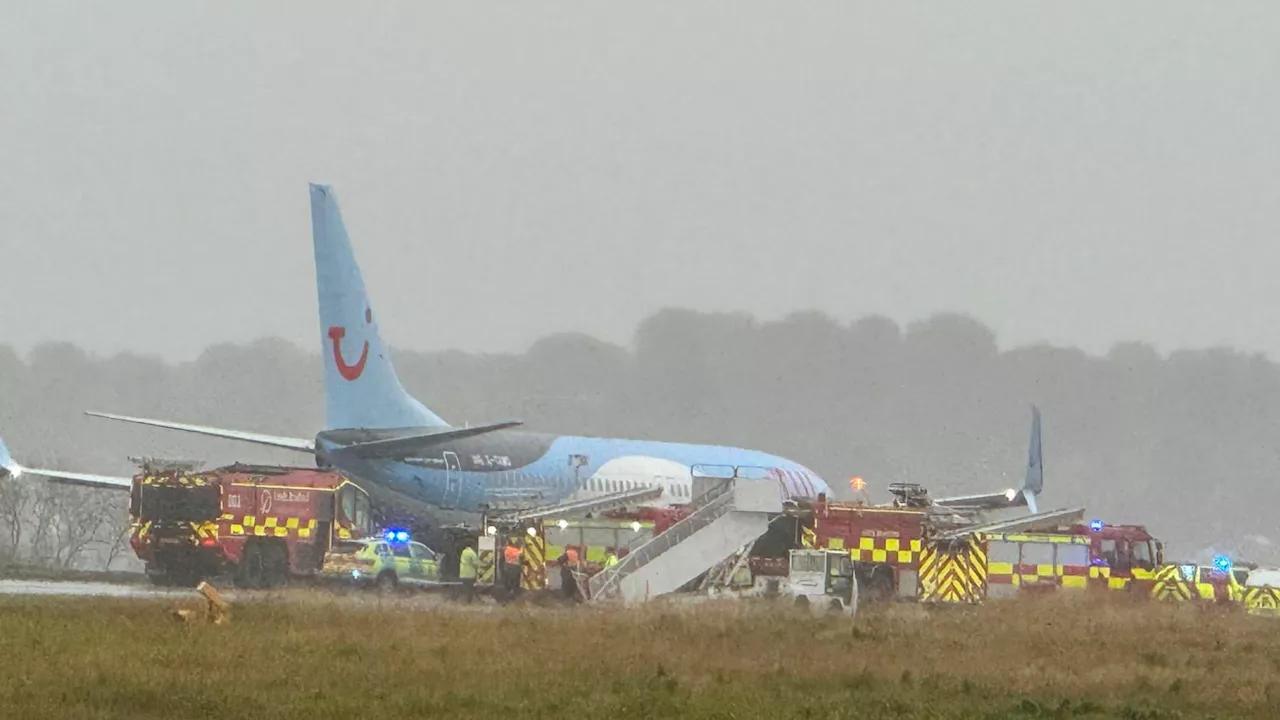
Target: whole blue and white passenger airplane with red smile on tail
(378,434)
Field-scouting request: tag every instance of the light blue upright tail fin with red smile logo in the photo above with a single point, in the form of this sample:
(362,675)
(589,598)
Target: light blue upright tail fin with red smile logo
(362,388)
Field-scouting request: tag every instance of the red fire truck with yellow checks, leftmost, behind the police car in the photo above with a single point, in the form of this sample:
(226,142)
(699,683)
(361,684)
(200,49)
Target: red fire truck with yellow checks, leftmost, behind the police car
(260,525)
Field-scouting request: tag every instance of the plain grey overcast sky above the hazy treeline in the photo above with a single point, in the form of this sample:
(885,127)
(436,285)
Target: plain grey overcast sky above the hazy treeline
(1069,172)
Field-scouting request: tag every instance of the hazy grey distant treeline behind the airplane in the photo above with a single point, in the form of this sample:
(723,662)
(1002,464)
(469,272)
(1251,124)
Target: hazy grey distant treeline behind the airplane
(1185,444)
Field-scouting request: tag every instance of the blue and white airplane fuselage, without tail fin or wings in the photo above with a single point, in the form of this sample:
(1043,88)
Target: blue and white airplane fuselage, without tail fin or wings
(546,470)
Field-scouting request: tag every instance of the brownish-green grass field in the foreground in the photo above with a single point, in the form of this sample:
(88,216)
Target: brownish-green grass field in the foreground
(317,658)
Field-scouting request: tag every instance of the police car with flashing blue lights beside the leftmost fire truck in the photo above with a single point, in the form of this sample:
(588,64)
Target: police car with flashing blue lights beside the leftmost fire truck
(383,563)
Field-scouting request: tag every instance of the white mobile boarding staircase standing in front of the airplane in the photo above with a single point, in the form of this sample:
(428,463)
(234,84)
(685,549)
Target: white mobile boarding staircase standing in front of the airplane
(729,514)
